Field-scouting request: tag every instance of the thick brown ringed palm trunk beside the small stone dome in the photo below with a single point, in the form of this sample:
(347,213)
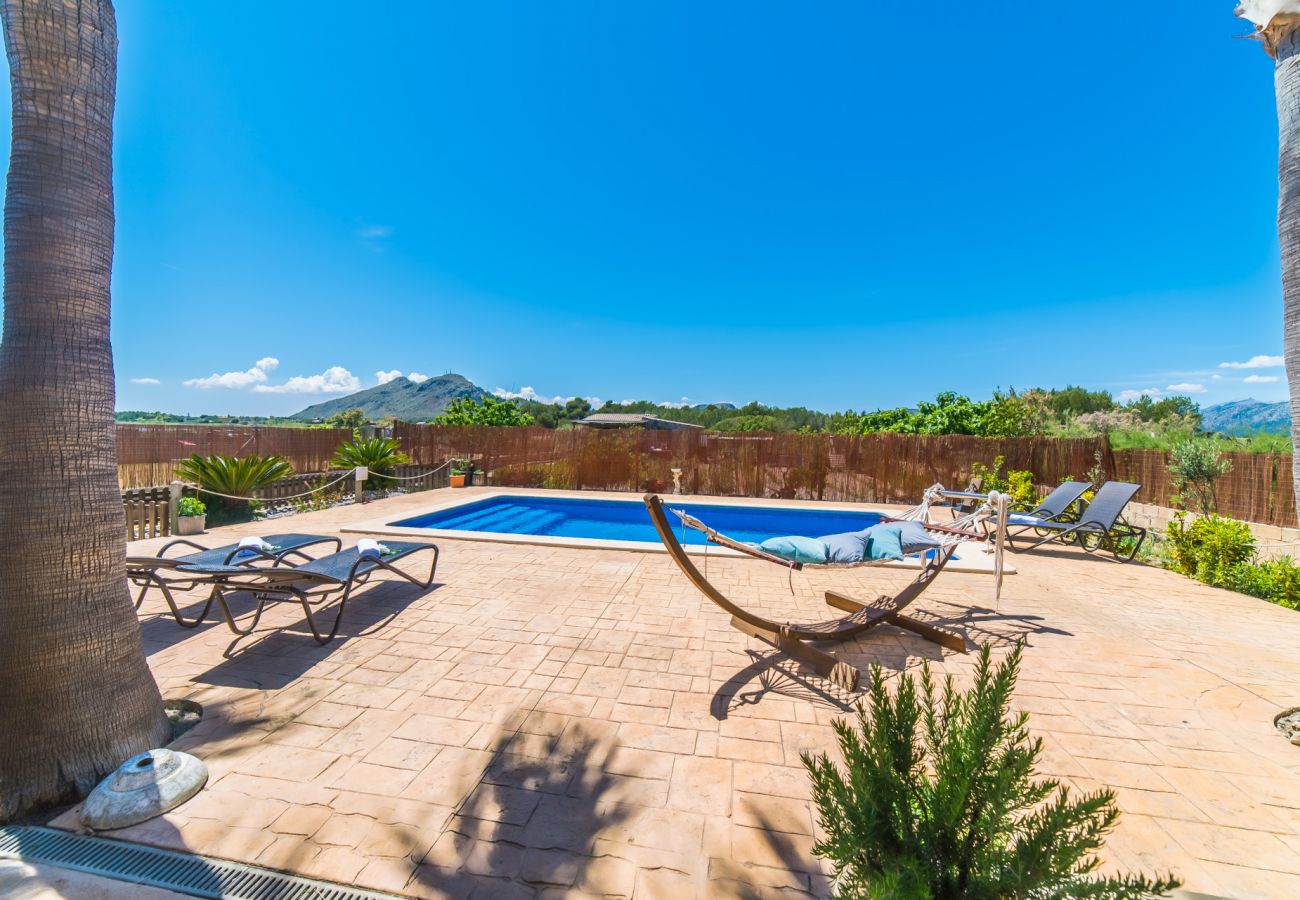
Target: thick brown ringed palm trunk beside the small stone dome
(76,693)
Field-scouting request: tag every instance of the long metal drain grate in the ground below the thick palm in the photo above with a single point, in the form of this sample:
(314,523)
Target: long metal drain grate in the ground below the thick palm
(184,873)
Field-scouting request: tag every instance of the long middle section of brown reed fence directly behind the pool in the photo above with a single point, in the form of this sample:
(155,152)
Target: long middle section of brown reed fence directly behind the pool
(885,469)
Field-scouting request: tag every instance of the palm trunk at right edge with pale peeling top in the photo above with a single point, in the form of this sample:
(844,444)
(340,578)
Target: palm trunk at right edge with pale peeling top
(1279,24)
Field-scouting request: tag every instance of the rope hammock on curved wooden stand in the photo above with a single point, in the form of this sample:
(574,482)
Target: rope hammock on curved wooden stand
(796,639)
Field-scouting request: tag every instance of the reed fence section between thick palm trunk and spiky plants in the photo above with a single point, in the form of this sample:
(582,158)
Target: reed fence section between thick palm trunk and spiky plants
(148,455)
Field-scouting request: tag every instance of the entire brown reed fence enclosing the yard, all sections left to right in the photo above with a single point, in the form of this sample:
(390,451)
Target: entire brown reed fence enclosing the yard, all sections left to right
(883,469)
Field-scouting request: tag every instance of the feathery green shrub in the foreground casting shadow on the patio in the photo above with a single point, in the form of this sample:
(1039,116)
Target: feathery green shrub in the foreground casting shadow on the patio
(938,799)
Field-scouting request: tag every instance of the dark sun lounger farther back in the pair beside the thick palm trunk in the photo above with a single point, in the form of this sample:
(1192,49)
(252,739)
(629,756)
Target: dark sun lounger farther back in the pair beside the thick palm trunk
(148,573)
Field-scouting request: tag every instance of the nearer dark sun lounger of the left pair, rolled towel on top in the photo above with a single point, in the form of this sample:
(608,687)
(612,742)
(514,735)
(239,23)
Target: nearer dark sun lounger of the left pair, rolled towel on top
(310,585)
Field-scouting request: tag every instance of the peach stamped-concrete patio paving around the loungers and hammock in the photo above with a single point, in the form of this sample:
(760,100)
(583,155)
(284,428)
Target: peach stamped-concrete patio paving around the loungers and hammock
(553,721)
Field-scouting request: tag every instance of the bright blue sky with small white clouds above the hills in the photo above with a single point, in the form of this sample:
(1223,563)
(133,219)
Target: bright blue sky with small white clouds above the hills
(844,206)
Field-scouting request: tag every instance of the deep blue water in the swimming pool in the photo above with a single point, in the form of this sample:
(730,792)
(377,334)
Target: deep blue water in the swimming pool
(623,521)
